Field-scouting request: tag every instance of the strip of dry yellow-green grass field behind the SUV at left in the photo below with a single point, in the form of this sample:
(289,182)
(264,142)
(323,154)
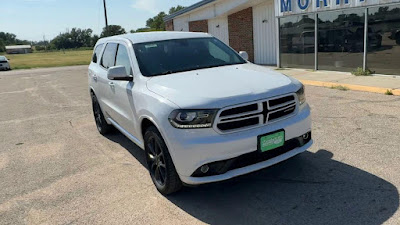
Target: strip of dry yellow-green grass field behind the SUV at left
(50,59)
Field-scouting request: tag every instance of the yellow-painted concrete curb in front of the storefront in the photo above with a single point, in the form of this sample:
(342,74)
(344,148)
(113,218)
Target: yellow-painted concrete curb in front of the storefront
(352,87)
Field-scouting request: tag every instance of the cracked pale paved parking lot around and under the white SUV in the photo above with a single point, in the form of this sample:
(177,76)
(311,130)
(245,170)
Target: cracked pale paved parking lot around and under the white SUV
(55,168)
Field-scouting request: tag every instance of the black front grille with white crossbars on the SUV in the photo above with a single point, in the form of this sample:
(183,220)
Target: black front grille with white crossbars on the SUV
(255,114)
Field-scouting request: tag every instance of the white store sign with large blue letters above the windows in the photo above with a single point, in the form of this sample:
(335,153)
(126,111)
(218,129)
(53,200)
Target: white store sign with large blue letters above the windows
(289,7)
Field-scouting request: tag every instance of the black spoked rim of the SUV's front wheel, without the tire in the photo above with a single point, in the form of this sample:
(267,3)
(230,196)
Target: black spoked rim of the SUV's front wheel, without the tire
(156,161)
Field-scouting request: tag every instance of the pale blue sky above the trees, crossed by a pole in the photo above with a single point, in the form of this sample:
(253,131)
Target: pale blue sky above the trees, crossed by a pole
(34,20)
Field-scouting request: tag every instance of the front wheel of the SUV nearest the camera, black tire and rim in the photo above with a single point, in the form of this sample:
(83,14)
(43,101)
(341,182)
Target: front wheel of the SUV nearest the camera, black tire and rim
(159,163)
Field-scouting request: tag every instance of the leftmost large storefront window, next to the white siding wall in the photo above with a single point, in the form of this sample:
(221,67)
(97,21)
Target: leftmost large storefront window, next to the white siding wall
(297,41)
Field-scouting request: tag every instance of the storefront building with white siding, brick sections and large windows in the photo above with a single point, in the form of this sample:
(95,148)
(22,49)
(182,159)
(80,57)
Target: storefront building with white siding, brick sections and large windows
(340,35)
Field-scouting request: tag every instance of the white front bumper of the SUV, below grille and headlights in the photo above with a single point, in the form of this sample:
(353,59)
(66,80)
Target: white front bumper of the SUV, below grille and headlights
(191,149)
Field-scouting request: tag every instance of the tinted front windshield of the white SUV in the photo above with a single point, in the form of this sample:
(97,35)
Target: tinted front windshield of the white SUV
(171,56)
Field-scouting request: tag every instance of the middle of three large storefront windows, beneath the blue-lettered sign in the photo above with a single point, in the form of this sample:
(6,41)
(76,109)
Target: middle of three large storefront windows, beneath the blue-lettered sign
(341,40)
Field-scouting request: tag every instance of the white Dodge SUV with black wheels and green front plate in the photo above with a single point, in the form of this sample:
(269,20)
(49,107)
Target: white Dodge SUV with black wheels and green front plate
(201,112)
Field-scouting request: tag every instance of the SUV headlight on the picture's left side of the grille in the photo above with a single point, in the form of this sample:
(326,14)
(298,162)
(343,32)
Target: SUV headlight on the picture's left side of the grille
(189,119)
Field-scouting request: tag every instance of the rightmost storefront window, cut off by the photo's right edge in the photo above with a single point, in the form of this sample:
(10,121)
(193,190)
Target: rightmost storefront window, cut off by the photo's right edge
(384,39)
